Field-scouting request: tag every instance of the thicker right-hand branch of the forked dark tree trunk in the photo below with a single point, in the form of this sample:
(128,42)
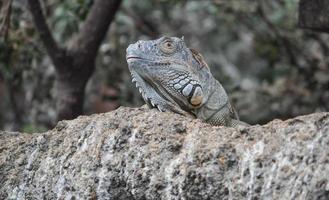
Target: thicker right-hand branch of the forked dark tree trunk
(95,27)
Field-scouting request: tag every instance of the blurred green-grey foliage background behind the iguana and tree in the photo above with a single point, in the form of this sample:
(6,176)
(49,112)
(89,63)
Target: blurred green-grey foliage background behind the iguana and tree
(269,67)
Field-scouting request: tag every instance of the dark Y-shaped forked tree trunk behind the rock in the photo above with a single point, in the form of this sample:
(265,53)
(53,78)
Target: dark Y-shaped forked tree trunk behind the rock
(75,65)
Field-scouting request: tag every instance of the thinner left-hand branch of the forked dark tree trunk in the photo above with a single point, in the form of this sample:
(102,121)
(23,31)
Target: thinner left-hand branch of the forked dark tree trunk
(56,54)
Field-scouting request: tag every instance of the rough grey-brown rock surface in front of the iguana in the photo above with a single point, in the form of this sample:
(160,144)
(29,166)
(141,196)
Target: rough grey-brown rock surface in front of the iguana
(137,153)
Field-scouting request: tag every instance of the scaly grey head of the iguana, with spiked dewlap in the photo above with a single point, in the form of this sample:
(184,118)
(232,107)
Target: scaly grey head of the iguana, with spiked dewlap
(165,70)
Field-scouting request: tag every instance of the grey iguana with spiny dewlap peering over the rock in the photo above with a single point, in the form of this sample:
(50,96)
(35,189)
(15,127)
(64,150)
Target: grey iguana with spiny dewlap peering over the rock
(171,76)
